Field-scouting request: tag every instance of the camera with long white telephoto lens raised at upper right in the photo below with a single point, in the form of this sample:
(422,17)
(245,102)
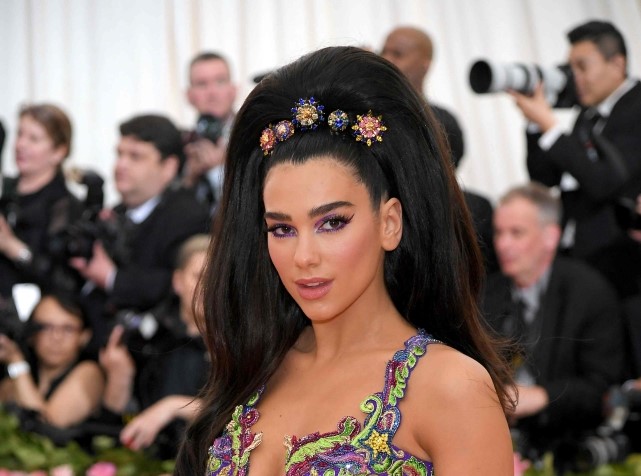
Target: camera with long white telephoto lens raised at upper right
(558,82)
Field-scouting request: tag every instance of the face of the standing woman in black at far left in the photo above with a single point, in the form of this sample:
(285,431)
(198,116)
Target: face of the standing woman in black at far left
(35,151)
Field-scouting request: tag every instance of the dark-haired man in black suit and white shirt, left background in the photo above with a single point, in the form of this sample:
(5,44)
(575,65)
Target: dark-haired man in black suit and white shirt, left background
(153,220)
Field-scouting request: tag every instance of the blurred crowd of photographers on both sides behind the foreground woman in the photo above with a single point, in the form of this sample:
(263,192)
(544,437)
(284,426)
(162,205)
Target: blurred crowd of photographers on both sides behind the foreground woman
(98,317)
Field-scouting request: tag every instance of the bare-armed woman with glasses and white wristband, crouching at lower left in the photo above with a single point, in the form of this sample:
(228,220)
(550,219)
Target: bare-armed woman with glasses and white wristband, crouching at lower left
(53,379)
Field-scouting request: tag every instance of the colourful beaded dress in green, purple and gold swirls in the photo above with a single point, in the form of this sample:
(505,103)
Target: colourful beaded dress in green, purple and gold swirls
(350,450)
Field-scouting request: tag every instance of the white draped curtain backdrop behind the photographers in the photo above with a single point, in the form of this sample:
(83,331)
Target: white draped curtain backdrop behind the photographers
(104,61)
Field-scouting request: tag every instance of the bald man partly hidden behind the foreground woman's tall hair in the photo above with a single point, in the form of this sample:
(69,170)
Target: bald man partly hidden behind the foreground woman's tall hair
(411,50)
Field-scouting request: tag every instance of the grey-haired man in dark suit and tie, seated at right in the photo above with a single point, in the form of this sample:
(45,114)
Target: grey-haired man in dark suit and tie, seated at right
(563,315)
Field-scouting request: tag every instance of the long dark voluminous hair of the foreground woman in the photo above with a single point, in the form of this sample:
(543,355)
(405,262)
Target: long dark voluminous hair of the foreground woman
(433,277)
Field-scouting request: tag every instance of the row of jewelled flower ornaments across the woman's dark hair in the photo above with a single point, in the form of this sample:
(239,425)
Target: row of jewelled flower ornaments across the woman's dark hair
(308,114)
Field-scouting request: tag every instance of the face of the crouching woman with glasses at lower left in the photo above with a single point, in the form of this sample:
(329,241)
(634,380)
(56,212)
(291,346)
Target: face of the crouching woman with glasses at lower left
(61,336)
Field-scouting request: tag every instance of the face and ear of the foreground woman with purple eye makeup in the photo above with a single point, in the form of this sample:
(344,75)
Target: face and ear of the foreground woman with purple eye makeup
(325,240)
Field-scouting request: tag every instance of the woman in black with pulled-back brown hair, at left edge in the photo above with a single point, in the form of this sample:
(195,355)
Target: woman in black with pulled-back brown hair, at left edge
(36,205)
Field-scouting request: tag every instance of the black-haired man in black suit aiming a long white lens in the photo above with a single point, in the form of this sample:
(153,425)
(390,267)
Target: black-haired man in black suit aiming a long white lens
(598,162)
